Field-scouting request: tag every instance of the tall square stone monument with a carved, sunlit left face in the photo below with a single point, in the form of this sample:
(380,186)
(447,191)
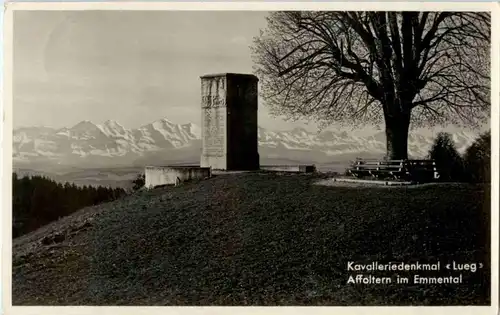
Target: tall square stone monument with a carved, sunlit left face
(229,122)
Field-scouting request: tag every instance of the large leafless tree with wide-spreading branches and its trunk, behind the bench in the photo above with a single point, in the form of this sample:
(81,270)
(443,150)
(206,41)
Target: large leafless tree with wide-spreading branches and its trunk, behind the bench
(423,68)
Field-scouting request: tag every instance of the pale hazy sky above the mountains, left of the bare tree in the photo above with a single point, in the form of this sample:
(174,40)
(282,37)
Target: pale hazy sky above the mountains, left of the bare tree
(132,67)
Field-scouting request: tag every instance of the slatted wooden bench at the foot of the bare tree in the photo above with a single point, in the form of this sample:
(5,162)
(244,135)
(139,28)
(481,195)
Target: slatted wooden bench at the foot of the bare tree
(416,170)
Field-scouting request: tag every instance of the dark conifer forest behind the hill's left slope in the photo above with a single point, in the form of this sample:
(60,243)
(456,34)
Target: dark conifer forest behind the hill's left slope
(37,200)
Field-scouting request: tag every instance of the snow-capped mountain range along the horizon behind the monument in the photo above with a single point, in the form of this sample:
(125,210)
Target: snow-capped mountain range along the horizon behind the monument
(110,144)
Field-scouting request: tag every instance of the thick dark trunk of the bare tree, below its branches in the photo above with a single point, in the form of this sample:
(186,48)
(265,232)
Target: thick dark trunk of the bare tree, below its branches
(396,131)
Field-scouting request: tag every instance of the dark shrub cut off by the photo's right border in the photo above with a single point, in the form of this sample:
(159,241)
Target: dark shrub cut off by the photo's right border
(477,159)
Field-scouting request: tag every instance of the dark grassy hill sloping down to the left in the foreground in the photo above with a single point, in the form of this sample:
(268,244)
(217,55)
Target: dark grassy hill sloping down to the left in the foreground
(257,239)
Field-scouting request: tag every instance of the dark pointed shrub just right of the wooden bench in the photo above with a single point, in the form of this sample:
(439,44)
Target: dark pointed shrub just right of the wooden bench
(448,161)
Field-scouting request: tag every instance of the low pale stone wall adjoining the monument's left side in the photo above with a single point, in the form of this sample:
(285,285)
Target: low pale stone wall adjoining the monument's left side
(174,175)
